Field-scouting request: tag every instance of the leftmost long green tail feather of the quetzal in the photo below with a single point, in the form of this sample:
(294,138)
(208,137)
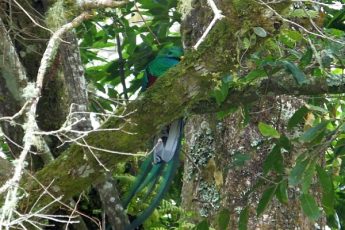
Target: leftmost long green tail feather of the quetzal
(145,168)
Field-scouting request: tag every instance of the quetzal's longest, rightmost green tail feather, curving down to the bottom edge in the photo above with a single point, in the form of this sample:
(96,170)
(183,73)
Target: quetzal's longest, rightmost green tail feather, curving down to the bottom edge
(168,176)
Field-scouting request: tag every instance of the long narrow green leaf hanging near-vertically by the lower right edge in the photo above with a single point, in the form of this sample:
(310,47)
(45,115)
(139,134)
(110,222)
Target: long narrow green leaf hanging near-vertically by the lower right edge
(326,183)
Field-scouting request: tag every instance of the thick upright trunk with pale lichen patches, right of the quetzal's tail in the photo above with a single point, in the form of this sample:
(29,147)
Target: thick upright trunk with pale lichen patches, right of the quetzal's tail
(224,157)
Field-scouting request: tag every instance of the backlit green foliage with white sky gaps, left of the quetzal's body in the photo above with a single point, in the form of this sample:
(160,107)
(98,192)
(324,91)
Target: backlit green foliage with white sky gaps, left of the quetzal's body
(142,30)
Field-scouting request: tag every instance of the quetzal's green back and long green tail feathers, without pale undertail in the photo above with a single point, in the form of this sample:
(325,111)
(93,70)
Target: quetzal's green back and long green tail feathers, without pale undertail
(149,174)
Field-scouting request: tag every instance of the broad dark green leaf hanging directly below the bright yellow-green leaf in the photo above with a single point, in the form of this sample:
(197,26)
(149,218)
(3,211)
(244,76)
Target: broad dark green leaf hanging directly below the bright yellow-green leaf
(274,160)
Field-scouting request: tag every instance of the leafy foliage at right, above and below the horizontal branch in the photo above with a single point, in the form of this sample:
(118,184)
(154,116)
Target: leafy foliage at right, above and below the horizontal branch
(315,131)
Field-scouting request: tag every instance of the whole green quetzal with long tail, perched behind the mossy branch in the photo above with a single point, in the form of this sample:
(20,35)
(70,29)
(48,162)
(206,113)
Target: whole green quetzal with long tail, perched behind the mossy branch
(158,170)
